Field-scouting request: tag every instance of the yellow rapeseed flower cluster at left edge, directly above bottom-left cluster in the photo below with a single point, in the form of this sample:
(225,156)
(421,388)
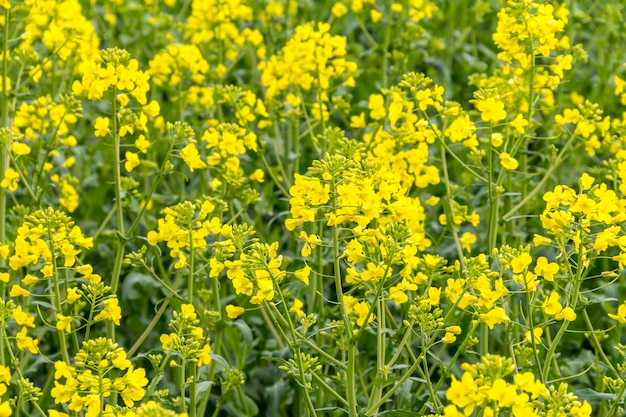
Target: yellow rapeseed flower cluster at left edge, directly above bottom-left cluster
(46,243)
